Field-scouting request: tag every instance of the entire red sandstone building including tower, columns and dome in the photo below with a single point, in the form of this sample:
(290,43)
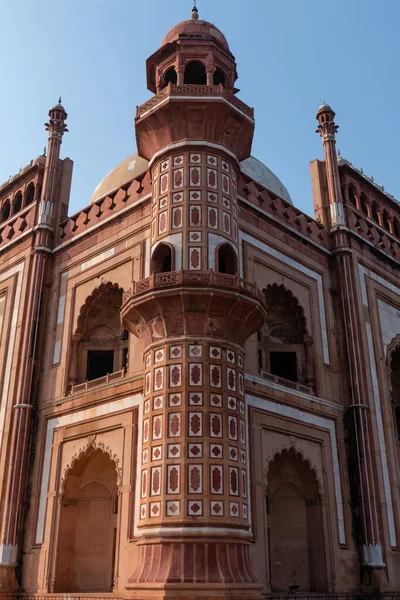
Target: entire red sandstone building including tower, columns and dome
(200,384)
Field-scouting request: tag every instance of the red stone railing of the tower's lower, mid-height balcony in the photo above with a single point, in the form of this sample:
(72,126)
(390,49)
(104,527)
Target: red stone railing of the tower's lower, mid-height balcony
(192,278)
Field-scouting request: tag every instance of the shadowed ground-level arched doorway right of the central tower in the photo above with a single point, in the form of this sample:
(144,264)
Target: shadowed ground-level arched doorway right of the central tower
(295,530)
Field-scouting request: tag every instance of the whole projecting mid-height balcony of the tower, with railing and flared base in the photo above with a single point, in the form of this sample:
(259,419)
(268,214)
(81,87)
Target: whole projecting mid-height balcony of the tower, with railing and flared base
(198,303)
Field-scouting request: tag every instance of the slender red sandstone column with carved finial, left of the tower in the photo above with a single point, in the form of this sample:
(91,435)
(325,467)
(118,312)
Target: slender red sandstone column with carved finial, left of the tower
(12,509)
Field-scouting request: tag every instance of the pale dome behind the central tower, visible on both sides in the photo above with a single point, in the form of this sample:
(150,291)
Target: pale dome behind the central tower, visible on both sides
(133,166)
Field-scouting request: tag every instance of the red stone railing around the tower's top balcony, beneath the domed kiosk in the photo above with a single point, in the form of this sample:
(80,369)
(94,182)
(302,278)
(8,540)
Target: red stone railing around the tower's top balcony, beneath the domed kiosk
(199,91)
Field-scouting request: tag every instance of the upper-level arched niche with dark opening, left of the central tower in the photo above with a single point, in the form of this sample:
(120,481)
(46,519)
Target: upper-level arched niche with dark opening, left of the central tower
(100,343)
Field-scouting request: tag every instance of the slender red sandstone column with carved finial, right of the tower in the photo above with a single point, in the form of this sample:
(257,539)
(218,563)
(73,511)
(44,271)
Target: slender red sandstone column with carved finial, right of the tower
(359,409)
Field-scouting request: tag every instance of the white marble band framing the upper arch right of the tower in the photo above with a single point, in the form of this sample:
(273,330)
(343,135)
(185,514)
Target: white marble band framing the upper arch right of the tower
(245,237)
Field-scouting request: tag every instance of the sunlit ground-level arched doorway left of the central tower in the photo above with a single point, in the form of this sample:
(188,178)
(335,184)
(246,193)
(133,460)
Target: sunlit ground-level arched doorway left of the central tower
(88,526)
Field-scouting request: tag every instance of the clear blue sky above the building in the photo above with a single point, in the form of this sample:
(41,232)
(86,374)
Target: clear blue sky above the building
(291,54)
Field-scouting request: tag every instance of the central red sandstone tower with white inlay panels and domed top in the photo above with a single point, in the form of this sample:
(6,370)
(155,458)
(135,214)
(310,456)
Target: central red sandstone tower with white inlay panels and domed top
(194,314)
